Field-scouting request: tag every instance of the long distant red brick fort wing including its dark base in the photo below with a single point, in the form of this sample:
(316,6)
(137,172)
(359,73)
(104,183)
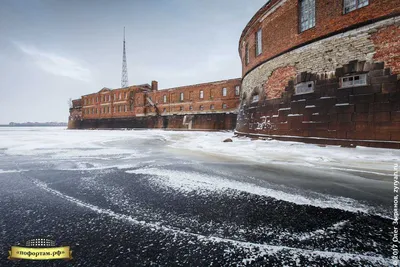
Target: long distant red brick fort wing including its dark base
(115,108)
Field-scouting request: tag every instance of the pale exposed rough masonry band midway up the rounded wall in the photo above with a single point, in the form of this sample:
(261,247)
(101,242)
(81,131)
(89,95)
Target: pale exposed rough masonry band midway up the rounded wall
(379,41)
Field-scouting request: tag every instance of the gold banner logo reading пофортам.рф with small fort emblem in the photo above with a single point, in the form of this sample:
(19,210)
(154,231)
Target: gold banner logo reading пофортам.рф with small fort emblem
(40,249)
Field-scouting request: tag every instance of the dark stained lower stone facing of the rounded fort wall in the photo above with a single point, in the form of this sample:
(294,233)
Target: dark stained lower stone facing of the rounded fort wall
(364,115)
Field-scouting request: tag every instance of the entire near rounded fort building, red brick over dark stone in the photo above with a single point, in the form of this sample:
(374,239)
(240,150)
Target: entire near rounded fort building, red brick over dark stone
(322,71)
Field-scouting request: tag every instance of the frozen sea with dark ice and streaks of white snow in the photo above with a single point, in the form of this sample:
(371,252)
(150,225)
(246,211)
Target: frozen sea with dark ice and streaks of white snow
(163,198)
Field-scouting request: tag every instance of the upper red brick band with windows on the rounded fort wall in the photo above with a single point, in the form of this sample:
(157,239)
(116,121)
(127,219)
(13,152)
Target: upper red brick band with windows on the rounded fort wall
(281,24)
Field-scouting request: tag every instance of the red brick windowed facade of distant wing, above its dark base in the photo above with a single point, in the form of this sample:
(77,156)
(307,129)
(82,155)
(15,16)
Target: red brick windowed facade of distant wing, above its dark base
(217,97)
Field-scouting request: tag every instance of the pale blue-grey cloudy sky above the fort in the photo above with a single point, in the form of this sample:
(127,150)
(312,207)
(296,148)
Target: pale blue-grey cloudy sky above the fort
(52,50)
